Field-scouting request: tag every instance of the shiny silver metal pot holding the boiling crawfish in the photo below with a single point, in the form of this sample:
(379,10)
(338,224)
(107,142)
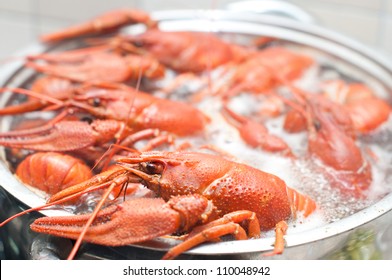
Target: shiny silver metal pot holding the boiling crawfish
(345,54)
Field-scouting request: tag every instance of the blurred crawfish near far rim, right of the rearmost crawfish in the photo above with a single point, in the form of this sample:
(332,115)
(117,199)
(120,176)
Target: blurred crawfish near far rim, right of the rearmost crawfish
(258,73)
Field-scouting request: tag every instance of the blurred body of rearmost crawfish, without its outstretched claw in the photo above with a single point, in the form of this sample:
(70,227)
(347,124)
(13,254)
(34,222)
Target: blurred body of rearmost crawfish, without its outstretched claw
(185,51)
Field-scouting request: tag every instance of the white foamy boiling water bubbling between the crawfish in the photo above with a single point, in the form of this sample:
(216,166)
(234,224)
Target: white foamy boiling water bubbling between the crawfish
(300,174)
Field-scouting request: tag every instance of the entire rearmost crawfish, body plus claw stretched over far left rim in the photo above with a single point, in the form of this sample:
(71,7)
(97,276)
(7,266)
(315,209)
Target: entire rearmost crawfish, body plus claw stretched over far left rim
(181,51)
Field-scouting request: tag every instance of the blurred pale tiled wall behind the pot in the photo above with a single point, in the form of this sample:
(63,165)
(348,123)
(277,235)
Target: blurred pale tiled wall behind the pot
(368,21)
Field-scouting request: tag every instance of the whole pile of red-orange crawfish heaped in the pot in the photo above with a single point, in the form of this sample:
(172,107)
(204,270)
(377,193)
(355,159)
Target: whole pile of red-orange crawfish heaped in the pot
(116,127)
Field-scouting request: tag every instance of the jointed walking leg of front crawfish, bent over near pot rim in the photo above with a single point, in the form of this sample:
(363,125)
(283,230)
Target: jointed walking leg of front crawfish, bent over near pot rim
(212,231)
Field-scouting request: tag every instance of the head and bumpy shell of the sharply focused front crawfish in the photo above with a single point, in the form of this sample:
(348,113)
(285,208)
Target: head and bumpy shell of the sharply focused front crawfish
(229,185)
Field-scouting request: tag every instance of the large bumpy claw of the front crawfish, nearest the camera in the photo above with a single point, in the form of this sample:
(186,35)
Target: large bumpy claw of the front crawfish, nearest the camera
(133,221)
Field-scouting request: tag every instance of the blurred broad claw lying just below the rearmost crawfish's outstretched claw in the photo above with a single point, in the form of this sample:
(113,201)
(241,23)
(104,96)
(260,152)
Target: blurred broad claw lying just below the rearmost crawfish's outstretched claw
(96,64)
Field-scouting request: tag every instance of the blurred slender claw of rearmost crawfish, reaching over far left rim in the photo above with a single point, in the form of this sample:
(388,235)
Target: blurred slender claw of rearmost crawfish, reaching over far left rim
(107,22)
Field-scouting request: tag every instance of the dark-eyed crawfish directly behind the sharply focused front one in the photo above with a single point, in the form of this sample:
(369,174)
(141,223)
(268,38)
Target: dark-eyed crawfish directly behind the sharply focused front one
(139,110)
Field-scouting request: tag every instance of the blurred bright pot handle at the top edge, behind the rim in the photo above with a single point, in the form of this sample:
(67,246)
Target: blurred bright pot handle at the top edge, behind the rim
(272,7)
